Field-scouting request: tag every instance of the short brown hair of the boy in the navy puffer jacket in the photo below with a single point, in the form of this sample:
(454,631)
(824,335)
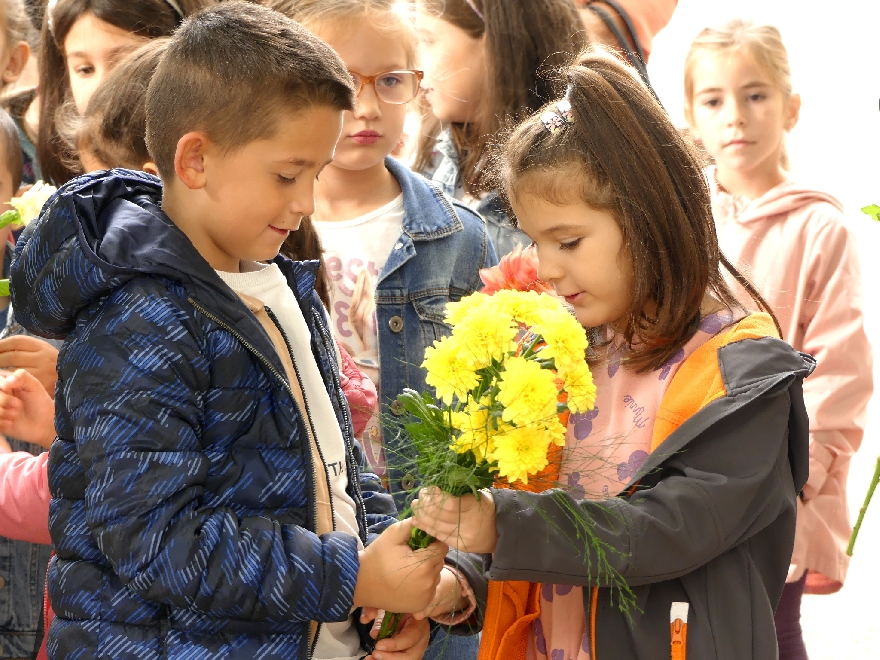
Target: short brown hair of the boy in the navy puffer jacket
(230,70)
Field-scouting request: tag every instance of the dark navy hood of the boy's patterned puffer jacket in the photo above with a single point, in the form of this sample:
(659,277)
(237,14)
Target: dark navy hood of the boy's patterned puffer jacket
(97,232)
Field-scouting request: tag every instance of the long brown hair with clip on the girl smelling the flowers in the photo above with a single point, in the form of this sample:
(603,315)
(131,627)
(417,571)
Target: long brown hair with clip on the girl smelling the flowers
(622,154)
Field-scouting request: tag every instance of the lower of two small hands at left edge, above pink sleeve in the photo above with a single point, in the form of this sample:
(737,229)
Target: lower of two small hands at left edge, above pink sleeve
(27,412)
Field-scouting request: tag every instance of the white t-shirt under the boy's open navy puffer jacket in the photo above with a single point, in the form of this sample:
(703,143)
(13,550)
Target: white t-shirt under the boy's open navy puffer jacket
(266,283)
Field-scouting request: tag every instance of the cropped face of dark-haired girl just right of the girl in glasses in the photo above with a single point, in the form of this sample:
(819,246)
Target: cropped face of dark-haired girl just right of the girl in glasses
(455,65)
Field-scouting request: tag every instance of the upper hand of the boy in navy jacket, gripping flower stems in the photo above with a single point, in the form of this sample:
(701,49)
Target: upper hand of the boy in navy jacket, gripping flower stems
(395,578)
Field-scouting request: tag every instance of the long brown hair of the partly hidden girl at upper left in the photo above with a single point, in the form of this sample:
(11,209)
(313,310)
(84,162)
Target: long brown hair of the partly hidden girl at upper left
(147,18)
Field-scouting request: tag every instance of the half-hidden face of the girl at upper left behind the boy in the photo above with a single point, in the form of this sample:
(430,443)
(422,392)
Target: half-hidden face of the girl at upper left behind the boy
(91,49)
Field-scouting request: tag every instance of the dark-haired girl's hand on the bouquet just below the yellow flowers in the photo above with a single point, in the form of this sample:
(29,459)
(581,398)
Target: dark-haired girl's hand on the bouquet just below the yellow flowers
(464,523)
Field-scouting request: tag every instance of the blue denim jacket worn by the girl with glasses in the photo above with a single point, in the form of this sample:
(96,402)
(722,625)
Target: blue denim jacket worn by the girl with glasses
(437,259)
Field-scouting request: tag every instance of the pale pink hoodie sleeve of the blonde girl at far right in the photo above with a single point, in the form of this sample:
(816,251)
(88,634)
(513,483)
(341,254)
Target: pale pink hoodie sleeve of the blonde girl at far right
(830,328)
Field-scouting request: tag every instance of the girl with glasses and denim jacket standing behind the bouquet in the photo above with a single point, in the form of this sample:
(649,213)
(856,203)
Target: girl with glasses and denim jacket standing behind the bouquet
(397,249)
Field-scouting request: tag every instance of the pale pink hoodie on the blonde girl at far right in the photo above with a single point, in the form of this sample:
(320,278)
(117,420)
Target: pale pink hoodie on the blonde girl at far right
(794,245)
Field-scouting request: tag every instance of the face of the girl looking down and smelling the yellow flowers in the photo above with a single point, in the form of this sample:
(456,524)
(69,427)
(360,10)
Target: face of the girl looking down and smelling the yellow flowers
(581,253)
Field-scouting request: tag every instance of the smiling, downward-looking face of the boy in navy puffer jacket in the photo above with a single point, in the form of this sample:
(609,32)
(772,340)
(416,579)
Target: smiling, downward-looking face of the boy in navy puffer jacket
(255,196)
